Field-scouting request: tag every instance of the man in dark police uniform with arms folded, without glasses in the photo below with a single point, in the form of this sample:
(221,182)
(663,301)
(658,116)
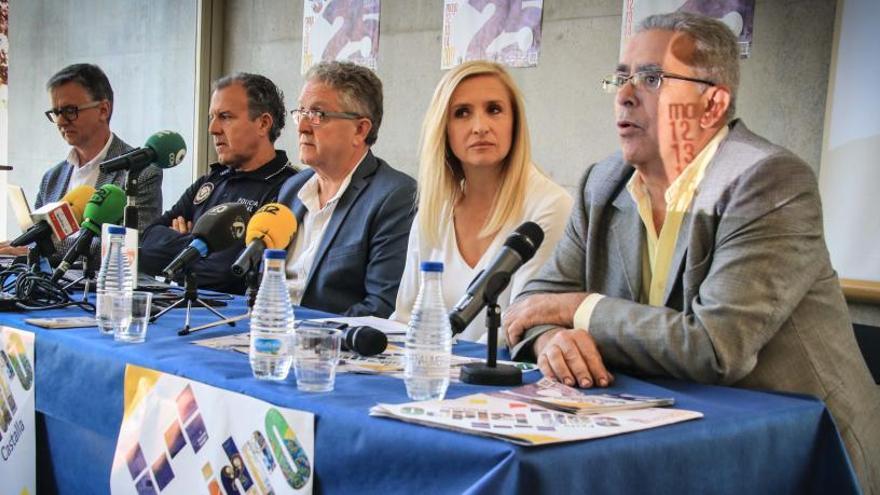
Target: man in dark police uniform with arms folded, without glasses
(246,118)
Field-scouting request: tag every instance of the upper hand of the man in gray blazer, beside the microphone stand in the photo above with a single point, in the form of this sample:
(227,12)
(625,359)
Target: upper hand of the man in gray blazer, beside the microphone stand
(541,309)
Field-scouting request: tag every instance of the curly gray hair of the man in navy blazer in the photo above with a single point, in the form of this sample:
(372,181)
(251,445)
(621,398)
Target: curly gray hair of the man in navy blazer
(360,90)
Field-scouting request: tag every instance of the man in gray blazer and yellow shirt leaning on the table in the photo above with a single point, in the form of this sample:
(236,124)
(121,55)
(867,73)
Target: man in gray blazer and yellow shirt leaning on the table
(697,251)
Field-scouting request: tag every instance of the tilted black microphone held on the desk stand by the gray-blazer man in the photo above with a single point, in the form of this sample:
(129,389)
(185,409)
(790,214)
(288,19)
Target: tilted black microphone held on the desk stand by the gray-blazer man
(519,248)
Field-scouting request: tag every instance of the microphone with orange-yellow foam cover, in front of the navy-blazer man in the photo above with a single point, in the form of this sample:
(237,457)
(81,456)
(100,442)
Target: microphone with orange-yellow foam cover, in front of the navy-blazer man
(271,227)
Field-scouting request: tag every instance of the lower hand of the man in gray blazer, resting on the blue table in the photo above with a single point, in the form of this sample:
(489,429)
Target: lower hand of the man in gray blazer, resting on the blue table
(571,356)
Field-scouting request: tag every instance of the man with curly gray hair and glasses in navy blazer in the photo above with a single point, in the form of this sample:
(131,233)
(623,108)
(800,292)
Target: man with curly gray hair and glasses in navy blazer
(354,211)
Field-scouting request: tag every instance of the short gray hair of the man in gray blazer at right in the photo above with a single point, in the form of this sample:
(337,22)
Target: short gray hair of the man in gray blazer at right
(716,53)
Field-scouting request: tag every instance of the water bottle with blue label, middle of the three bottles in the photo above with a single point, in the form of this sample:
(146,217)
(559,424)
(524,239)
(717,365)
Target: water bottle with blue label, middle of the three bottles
(272,321)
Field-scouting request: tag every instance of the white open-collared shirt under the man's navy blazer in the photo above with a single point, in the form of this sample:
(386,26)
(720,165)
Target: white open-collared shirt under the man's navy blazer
(310,232)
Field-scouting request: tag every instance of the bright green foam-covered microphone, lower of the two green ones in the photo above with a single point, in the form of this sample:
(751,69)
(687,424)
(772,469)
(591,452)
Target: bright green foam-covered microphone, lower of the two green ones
(105,206)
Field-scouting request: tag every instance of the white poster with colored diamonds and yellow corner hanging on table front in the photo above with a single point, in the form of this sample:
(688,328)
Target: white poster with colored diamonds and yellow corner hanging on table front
(180,437)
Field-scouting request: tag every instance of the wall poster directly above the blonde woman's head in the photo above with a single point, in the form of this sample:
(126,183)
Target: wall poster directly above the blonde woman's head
(504,31)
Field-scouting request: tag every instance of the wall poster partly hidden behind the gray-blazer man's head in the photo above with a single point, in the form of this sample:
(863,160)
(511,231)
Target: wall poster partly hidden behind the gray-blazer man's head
(739,16)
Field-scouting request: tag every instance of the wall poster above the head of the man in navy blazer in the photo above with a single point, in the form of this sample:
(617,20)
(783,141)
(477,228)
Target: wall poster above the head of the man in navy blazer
(340,30)
